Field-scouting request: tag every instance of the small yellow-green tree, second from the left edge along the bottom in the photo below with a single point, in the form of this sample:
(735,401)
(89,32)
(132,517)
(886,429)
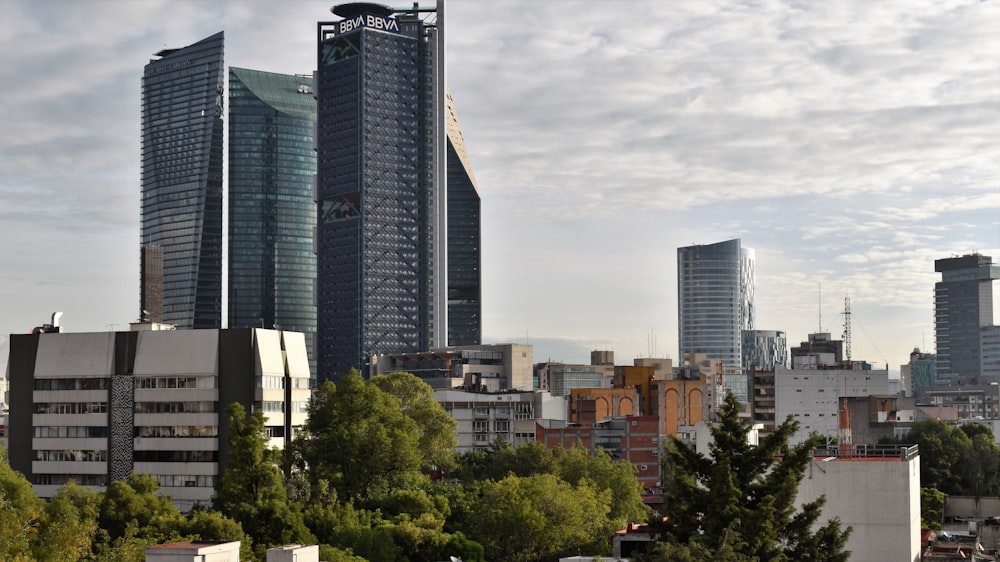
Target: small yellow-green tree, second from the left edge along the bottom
(68,525)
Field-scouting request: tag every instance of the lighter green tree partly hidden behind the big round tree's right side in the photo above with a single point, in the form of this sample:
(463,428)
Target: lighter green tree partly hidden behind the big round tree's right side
(436,429)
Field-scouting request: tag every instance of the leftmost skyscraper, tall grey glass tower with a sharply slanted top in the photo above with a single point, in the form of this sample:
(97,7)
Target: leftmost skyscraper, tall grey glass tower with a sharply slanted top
(182,126)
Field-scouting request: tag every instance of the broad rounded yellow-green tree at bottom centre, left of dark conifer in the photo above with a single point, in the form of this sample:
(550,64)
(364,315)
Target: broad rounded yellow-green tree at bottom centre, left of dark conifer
(539,518)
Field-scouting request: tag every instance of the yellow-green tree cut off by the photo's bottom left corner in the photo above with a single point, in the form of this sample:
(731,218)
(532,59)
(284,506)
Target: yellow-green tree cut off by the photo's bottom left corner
(20,511)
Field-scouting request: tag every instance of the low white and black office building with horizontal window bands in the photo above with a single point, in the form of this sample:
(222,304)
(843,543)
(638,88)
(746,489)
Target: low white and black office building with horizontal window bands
(96,407)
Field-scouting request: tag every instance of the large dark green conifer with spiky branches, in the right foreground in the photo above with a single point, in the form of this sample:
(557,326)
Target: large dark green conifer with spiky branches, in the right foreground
(743,496)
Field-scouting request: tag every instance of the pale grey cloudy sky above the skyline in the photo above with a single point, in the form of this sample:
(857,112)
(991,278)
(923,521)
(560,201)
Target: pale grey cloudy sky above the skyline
(850,144)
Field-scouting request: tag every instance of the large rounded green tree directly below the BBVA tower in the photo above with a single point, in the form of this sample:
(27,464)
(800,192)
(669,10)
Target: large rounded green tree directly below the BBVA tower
(359,440)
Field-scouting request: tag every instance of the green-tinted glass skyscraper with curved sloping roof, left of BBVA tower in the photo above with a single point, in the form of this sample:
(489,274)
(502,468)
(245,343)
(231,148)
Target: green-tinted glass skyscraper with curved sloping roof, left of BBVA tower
(272,266)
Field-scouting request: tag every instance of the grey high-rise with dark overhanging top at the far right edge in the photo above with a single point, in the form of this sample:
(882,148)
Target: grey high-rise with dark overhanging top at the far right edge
(963,308)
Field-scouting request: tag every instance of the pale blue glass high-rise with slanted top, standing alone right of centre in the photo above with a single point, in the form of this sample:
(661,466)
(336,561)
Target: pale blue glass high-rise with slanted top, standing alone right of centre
(715,294)
